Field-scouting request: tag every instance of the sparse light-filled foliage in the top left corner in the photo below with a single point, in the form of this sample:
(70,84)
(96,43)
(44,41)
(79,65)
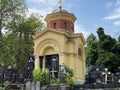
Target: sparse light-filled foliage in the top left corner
(7,10)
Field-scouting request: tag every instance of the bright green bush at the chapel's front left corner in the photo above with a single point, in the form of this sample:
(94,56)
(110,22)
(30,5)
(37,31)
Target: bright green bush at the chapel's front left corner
(42,76)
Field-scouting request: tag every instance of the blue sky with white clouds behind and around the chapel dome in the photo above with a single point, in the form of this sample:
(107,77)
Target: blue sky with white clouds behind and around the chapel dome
(90,14)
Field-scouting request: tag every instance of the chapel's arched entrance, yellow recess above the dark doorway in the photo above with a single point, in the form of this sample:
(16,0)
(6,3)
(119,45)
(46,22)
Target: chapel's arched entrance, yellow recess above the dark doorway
(49,58)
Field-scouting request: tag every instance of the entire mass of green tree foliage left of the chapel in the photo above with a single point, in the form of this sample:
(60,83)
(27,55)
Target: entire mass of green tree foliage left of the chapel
(16,44)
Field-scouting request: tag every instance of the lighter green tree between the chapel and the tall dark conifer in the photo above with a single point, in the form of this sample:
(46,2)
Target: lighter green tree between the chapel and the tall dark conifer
(91,49)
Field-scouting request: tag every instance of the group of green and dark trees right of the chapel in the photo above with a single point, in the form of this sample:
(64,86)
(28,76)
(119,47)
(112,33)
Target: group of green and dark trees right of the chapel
(105,50)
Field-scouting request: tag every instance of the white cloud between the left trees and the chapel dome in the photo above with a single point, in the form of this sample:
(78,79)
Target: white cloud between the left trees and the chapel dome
(43,7)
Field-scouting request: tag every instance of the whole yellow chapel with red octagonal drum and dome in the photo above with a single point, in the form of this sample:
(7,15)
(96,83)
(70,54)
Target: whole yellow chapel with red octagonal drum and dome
(58,44)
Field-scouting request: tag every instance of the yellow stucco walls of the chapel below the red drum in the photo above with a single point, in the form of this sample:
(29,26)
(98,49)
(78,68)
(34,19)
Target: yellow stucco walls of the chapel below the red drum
(66,45)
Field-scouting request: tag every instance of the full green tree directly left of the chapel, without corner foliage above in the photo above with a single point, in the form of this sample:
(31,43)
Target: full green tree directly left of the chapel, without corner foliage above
(19,39)
